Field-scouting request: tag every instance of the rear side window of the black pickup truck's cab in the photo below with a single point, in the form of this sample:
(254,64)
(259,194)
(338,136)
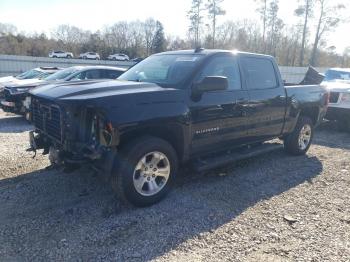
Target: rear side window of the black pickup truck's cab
(260,73)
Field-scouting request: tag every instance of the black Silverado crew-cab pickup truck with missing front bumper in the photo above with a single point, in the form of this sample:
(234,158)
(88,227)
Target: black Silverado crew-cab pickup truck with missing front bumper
(204,107)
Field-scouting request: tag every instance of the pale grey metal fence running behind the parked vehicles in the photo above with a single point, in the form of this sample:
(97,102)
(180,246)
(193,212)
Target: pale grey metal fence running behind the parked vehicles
(14,65)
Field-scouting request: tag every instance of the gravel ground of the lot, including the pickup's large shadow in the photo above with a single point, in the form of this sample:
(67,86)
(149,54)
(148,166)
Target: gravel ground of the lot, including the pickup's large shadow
(270,208)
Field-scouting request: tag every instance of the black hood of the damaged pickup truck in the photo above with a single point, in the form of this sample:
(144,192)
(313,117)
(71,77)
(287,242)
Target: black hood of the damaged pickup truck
(94,90)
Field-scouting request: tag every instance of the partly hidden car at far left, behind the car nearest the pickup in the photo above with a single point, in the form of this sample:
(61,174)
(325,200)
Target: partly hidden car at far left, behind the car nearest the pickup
(36,73)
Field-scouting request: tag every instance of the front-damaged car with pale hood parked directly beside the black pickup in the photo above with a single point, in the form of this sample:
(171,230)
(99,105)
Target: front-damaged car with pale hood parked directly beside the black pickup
(16,97)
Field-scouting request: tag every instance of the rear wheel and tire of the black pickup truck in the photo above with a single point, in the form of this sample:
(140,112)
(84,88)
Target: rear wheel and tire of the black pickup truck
(294,144)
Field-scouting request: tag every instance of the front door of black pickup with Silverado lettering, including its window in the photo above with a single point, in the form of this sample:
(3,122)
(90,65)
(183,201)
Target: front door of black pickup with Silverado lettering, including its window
(218,118)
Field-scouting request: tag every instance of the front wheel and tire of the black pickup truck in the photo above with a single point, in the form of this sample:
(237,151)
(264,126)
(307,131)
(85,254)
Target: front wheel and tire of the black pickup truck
(134,181)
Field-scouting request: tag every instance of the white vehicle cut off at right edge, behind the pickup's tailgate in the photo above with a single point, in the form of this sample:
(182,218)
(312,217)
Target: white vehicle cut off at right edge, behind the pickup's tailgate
(337,81)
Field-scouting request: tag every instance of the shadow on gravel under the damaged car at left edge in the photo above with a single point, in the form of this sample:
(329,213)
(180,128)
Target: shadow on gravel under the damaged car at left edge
(14,124)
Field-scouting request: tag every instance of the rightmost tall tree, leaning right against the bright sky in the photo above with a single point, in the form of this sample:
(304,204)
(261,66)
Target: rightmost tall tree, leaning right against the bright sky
(329,19)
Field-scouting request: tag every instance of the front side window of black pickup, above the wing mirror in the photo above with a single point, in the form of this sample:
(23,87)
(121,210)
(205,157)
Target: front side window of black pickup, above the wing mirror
(226,66)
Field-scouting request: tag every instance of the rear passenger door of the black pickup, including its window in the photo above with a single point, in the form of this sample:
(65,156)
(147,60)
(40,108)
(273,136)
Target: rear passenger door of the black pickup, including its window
(267,106)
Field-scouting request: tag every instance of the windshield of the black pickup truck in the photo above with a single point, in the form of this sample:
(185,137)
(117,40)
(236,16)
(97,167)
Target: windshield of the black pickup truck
(163,69)
